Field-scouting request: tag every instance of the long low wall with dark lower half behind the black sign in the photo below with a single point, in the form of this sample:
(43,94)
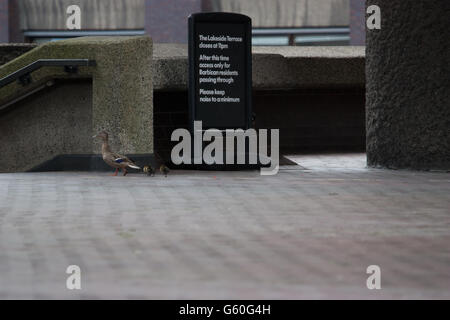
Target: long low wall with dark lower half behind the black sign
(314,95)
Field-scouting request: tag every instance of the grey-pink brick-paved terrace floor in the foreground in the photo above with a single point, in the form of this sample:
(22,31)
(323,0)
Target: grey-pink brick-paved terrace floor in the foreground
(308,232)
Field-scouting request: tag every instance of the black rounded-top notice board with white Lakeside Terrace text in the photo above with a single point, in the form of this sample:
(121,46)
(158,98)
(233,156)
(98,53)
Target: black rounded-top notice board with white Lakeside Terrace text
(220,76)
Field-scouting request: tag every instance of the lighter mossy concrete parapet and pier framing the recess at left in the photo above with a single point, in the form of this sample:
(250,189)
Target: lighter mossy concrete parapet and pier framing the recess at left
(122,92)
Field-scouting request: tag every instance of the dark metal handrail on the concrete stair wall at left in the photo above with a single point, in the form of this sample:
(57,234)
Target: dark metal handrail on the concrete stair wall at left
(69,64)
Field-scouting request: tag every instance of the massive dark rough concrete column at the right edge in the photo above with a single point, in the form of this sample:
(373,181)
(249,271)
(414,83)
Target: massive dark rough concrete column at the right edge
(408,96)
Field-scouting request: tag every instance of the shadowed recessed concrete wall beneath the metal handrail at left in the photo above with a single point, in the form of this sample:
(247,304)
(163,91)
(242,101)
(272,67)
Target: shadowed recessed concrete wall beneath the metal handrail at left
(56,121)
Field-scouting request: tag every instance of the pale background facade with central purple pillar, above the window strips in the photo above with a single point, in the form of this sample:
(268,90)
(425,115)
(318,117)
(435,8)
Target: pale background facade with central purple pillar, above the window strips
(165,21)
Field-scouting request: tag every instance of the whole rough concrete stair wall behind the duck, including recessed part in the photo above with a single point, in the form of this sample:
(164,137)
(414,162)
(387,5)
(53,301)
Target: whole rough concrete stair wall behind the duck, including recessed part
(121,102)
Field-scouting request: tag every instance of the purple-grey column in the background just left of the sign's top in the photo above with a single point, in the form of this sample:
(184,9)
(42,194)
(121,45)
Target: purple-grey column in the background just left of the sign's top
(166,21)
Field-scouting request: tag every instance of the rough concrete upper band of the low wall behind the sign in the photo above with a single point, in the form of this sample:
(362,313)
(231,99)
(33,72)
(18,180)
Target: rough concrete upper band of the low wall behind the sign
(273,67)
